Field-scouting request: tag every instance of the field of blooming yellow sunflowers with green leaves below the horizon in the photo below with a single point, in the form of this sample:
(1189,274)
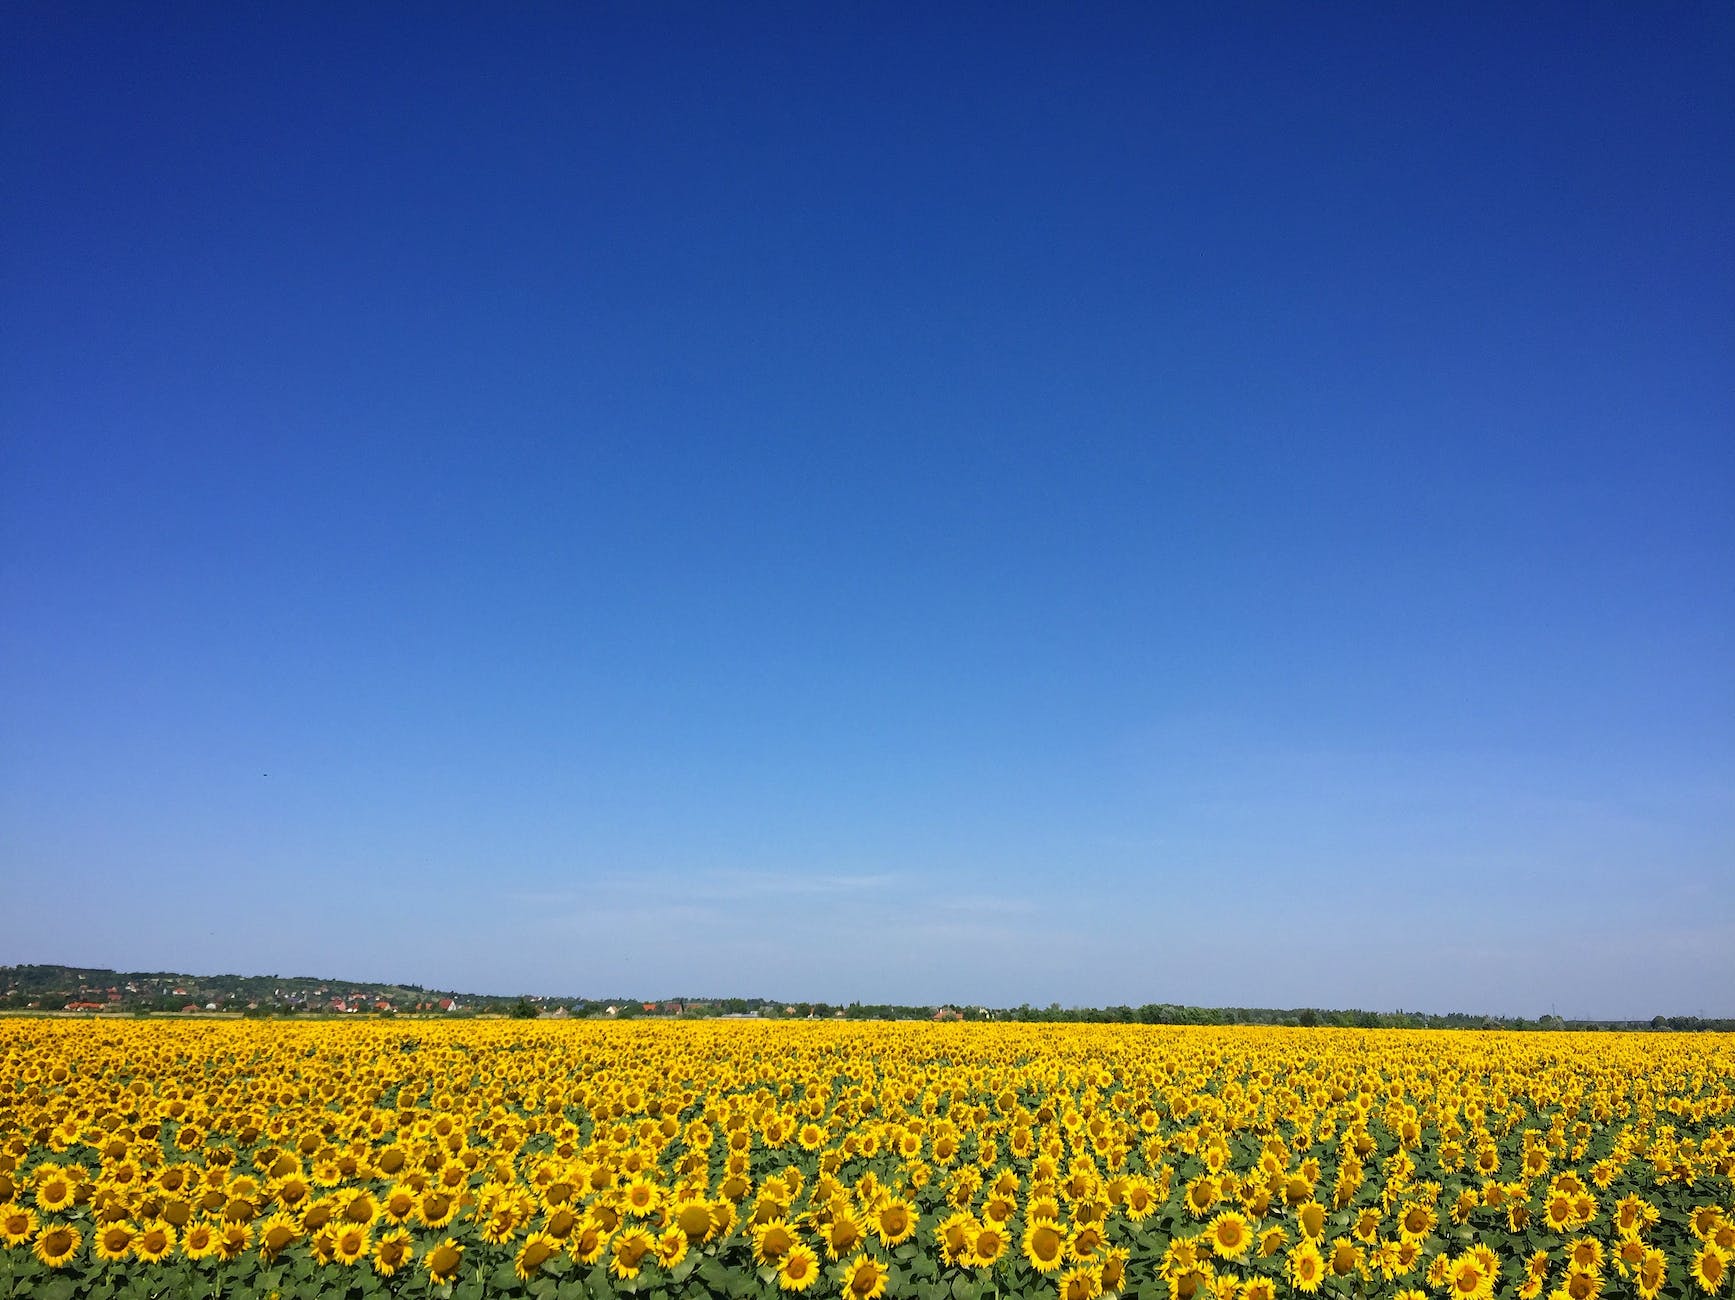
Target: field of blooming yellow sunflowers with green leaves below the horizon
(946,1162)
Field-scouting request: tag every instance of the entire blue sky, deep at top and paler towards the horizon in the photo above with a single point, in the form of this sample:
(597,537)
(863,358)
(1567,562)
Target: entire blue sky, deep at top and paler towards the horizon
(1094,504)
